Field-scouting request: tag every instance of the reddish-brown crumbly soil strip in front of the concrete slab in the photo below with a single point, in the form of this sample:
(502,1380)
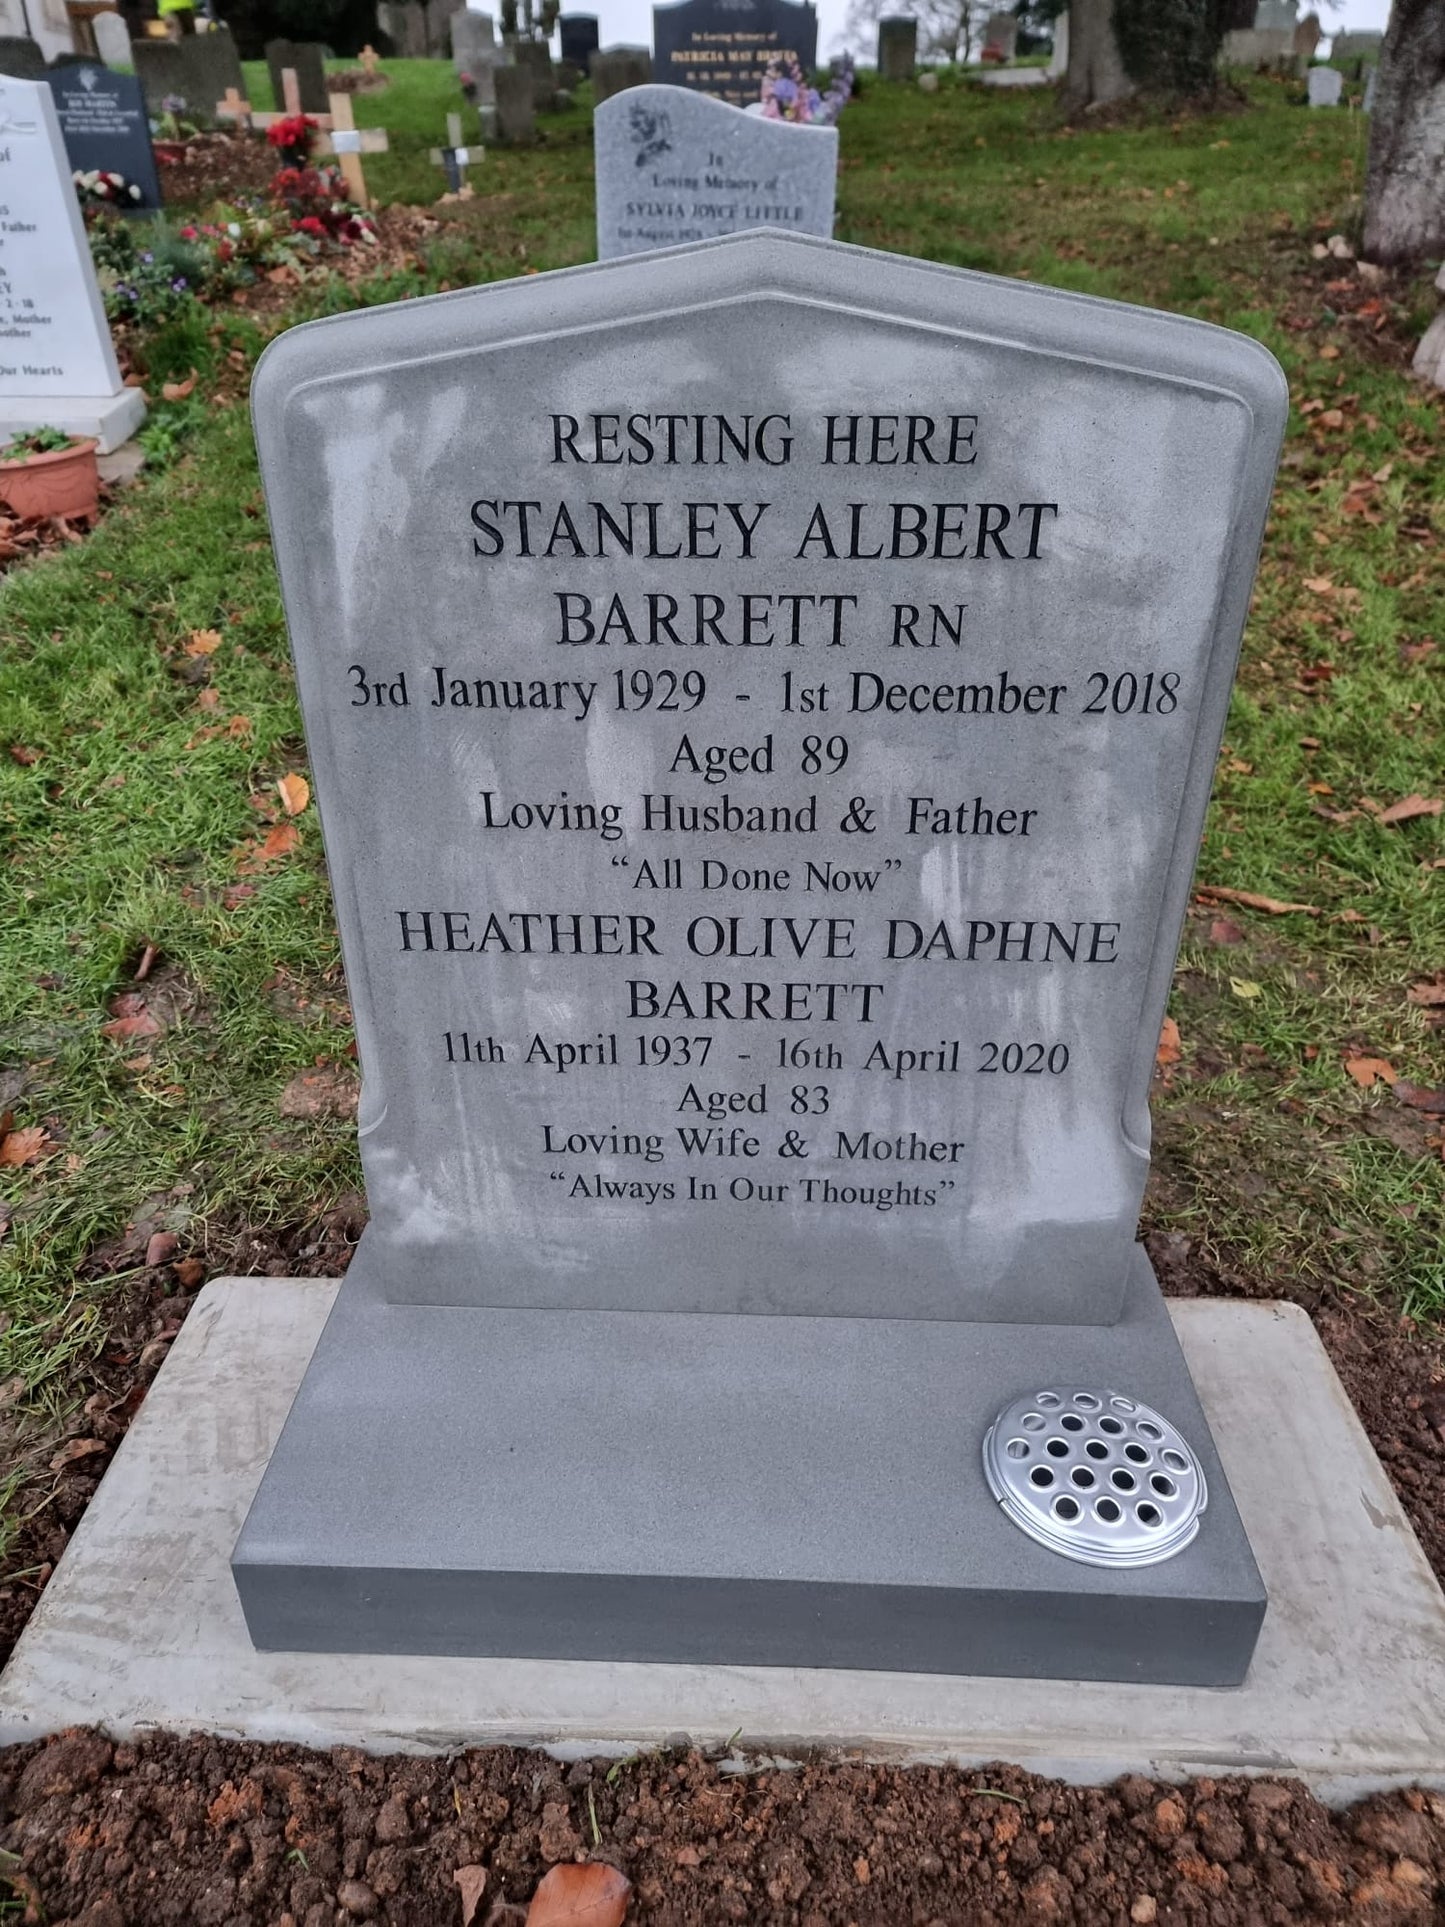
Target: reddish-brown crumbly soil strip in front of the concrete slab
(224,1835)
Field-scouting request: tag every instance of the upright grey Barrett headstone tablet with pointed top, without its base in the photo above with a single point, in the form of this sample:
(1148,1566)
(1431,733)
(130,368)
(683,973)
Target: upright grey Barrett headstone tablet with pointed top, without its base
(816,666)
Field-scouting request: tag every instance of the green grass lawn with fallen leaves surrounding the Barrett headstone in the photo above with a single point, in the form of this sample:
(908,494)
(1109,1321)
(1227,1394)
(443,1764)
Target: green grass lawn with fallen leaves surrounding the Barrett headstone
(140,785)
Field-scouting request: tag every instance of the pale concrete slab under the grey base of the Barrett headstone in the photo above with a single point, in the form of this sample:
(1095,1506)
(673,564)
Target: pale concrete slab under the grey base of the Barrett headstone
(142,1625)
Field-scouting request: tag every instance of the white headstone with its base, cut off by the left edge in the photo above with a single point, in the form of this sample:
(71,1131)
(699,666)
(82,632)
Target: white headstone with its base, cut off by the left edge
(57,363)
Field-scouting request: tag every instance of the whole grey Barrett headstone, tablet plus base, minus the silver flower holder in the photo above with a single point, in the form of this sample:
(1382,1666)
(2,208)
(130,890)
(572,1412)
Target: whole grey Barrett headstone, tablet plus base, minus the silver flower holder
(762,704)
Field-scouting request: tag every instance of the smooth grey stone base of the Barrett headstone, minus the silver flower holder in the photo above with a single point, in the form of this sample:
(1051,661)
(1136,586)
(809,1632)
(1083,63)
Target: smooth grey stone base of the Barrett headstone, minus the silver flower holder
(716,1491)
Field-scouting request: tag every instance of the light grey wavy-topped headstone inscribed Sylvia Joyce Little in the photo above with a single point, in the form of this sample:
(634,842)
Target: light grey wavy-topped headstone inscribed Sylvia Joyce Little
(677,167)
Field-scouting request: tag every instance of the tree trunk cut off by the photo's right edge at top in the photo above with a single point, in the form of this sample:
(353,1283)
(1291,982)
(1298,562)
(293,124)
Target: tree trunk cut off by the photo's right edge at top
(1406,182)
